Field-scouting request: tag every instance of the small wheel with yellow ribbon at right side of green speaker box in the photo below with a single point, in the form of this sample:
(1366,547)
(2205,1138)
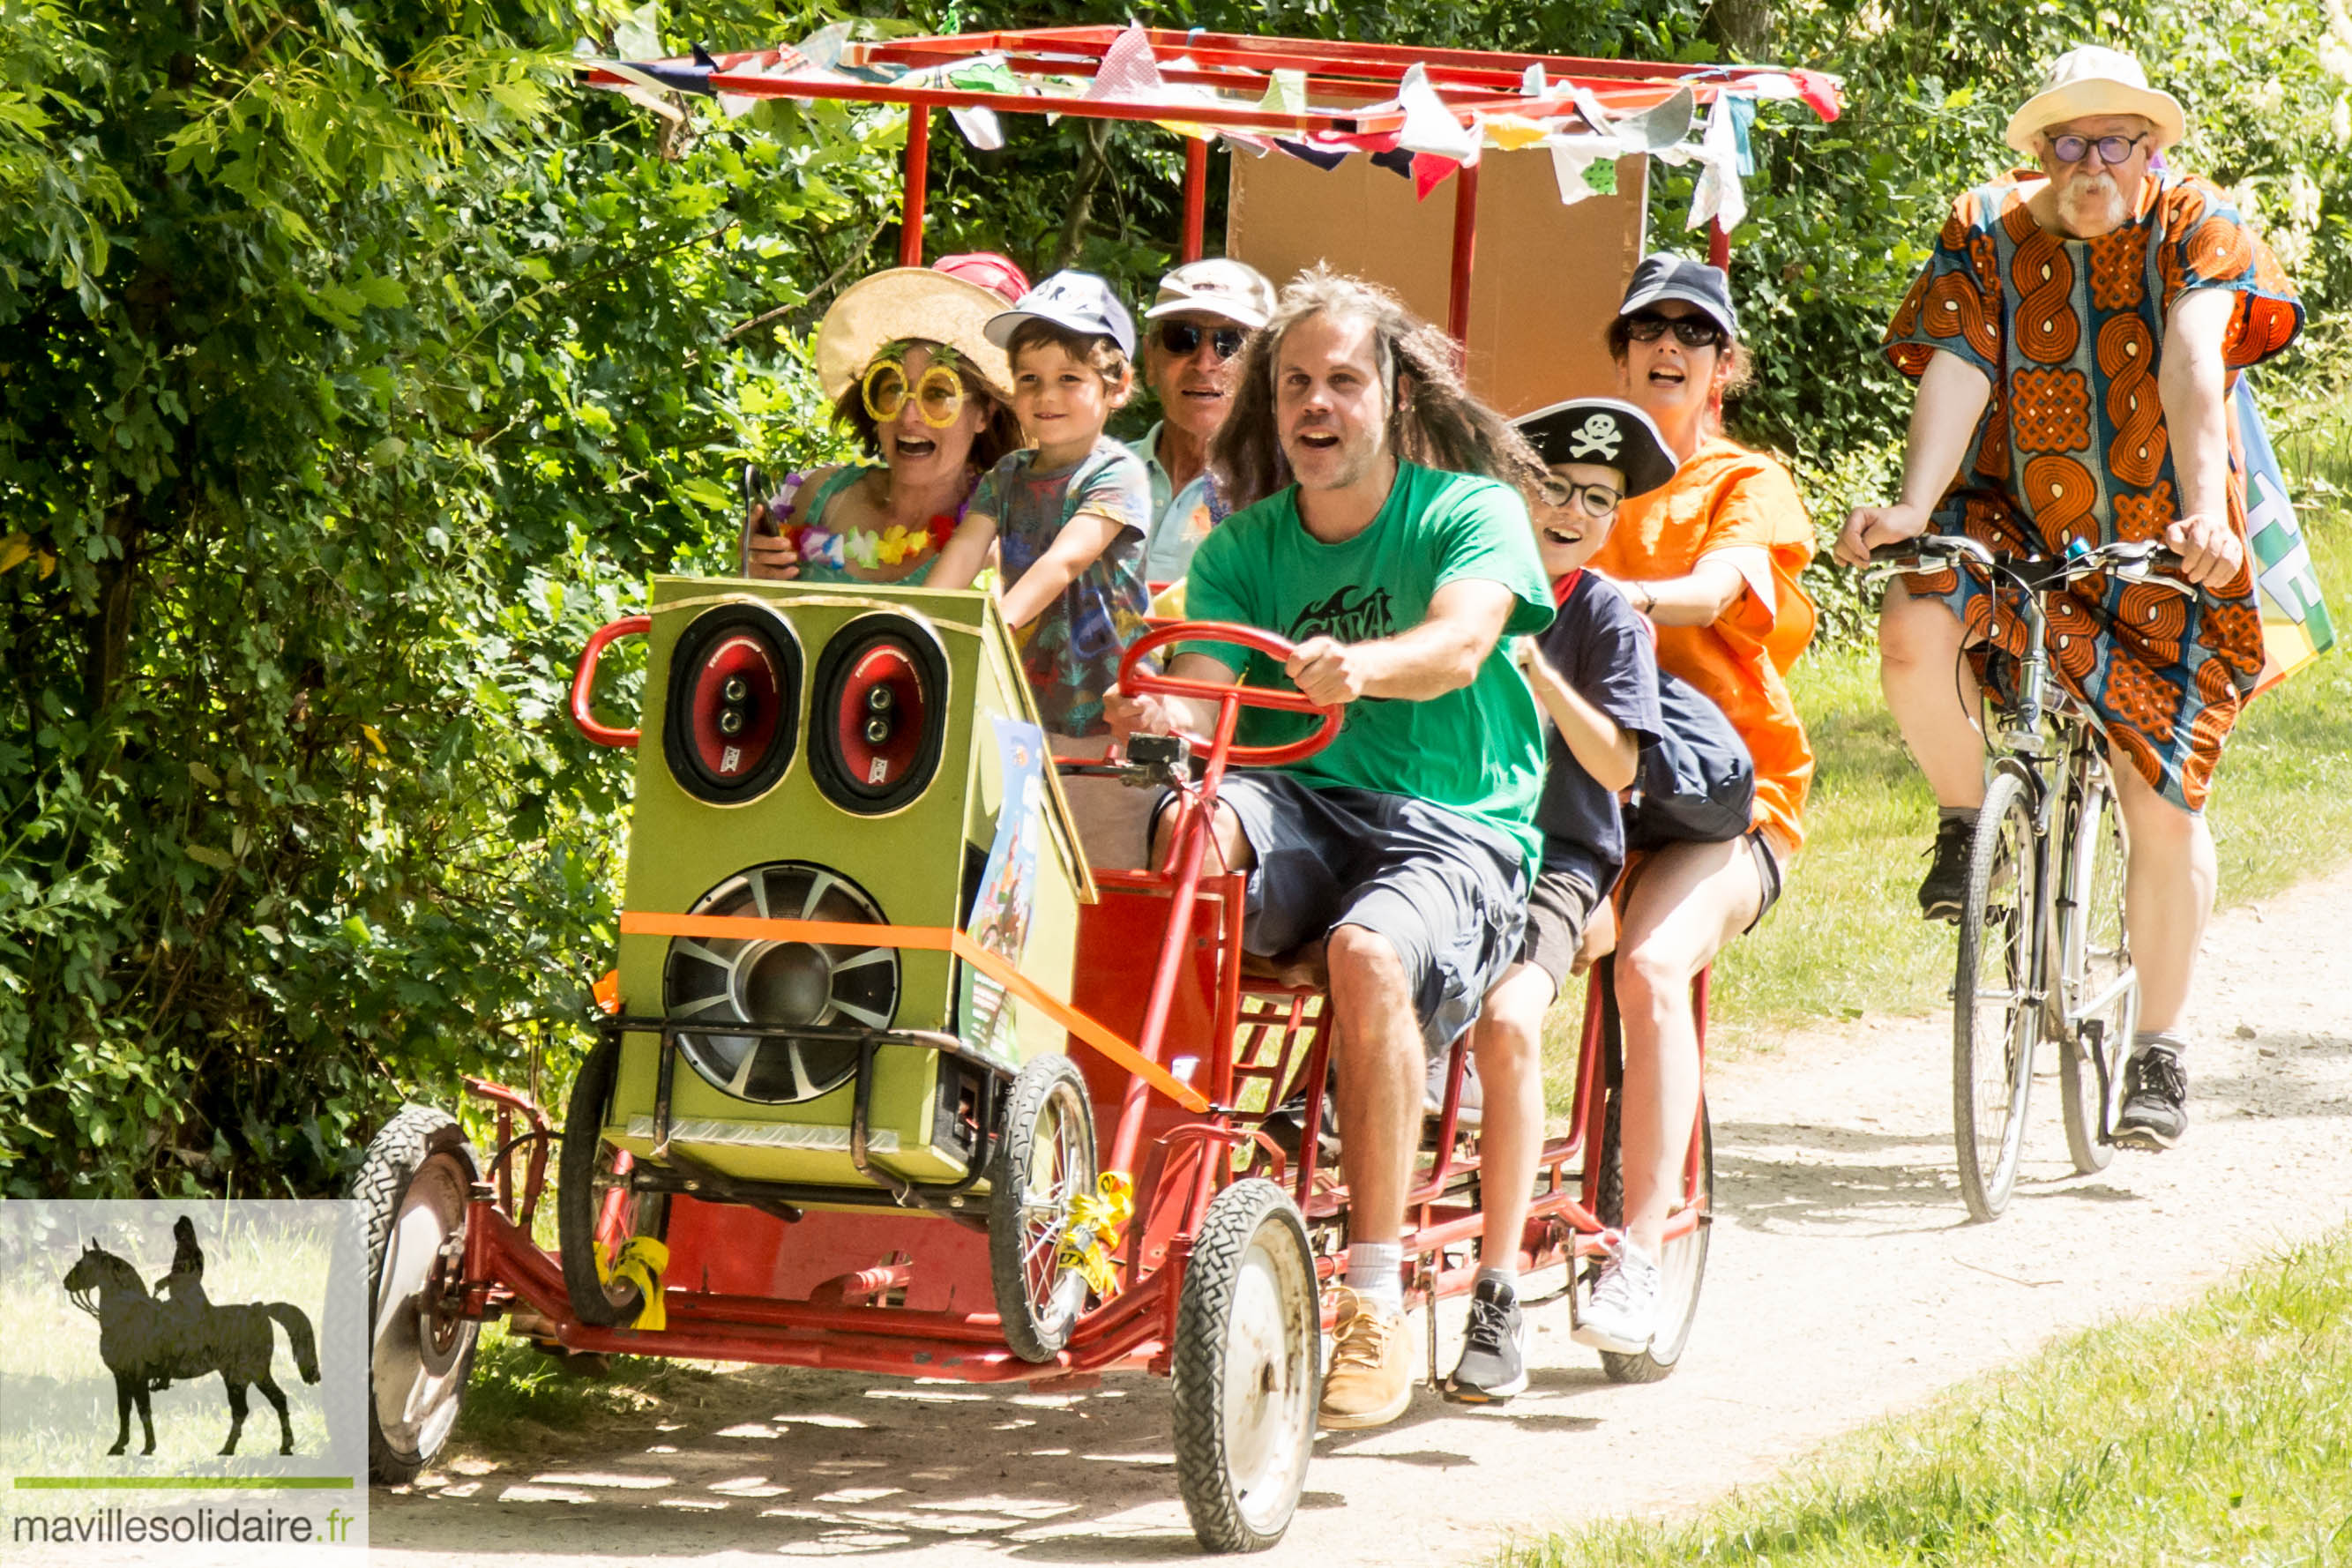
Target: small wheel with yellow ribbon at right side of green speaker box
(1043,1165)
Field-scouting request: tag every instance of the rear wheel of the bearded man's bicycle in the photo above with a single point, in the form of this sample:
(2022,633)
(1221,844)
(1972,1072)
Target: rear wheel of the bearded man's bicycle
(2094,967)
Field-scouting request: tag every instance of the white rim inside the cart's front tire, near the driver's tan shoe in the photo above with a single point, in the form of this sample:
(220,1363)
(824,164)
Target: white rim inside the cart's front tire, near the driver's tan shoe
(1269,1398)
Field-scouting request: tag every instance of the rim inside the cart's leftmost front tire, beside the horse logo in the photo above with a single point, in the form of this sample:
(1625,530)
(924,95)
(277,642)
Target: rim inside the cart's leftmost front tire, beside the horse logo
(415,1383)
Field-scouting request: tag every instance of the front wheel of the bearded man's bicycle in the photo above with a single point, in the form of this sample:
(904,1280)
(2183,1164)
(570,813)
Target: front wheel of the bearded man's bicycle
(1996,1019)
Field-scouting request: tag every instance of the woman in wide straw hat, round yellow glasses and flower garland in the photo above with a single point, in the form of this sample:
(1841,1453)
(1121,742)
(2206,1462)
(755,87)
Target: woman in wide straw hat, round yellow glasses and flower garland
(911,373)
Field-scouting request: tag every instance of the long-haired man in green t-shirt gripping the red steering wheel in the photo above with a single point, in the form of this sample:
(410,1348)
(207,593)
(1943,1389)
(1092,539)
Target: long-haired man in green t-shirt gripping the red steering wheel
(1405,845)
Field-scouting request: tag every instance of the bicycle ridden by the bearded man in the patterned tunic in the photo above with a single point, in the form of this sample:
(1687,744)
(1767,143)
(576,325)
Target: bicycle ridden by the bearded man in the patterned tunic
(2040,963)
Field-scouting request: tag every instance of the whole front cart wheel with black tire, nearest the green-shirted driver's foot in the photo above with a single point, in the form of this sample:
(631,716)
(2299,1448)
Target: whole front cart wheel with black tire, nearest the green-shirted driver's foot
(1248,1369)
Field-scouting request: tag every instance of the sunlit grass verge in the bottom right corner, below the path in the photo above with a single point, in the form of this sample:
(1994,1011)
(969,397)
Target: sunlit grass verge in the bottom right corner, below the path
(2210,1435)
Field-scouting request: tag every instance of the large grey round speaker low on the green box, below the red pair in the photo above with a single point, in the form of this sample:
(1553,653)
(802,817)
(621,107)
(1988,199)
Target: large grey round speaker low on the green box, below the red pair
(780,984)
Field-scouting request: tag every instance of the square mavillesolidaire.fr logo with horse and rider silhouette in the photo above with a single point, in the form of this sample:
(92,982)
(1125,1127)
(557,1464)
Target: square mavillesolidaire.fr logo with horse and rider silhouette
(189,1318)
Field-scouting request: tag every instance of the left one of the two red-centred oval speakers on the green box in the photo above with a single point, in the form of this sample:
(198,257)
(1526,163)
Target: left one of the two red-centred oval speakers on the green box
(735,704)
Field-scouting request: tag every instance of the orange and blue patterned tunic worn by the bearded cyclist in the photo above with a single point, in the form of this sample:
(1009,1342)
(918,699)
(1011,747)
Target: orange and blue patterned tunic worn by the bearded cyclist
(2073,448)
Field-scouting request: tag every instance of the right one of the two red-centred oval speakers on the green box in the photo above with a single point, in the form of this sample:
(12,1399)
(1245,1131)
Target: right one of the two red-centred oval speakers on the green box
(878,713)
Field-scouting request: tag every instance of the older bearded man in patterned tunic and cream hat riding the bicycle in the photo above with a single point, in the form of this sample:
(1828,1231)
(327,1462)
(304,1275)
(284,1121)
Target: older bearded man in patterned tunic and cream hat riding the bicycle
(2076,340)
